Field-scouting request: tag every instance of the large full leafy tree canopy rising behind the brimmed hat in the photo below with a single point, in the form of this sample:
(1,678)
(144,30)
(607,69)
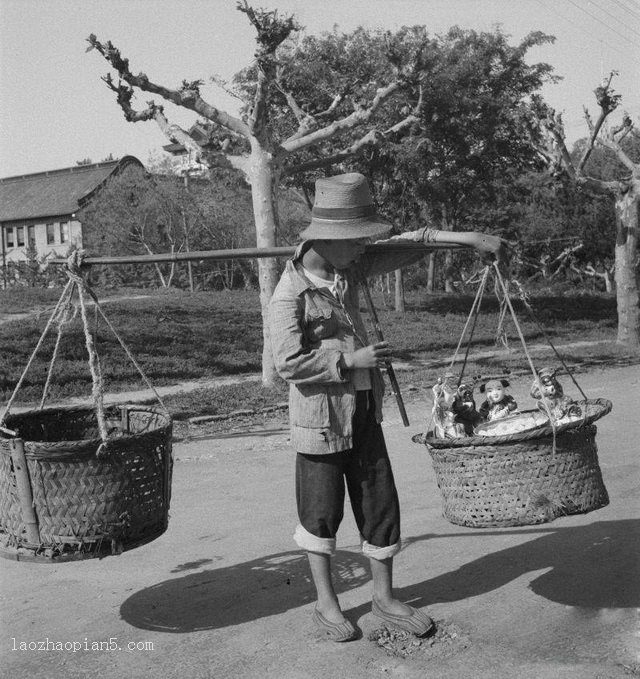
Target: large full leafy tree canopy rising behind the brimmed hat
(472,129)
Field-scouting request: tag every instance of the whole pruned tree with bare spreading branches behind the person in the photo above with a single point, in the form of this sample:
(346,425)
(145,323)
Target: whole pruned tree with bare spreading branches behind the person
(269,148)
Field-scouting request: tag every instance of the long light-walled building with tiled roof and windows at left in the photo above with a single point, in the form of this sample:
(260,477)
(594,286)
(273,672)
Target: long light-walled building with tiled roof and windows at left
(44,210)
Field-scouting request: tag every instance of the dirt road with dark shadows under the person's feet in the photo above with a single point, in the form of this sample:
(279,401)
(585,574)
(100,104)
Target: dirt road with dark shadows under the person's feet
(224,593)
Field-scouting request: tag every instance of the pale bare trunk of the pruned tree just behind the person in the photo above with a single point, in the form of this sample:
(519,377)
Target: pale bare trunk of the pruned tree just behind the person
(263,179)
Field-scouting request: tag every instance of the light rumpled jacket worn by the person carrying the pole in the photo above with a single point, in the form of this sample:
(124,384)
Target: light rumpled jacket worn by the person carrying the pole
(310,330)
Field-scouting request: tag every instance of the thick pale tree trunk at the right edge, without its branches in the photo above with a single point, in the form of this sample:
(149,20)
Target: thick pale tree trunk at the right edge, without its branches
(625,272)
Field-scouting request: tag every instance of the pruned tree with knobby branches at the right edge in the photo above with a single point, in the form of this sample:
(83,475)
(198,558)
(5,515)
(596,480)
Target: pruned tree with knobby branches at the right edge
(625,190)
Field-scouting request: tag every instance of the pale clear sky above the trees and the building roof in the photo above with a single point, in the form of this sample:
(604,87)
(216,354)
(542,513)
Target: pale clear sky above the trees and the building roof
(55,110)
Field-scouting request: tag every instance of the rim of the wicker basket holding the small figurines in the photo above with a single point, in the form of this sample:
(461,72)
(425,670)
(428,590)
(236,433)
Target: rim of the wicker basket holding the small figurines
(599,408)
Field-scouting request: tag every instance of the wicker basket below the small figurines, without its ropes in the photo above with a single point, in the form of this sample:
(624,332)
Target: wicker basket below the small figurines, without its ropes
(521,479)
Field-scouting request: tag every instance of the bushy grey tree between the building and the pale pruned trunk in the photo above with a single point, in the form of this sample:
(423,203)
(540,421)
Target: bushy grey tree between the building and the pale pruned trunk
(142,213)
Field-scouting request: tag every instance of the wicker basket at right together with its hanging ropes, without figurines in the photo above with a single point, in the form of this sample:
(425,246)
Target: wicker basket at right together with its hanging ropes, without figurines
(531,476)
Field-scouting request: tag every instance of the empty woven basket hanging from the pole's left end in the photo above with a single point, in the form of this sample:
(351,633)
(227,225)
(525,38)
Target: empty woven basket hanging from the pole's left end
(62,497)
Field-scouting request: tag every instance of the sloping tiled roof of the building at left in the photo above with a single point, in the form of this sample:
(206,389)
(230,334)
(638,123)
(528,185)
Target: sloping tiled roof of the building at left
(54,193)
